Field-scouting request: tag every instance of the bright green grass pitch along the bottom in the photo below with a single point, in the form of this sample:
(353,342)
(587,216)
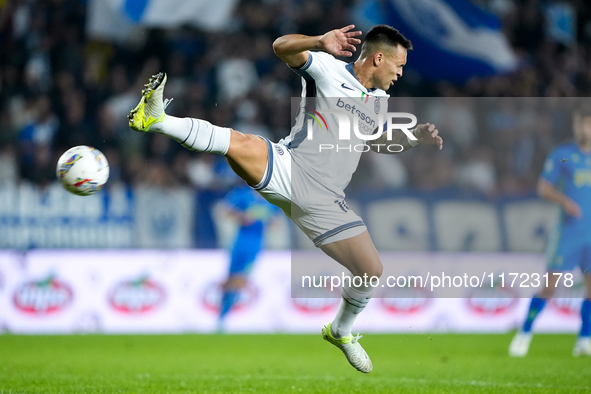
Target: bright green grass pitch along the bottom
(286,364)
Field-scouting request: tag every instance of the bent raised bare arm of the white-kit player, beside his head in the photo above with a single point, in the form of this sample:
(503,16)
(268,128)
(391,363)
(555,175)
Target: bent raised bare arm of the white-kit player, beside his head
(293,48)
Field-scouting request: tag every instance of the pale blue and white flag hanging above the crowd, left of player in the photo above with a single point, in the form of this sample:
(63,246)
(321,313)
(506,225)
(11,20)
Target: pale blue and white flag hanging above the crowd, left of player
(116,19)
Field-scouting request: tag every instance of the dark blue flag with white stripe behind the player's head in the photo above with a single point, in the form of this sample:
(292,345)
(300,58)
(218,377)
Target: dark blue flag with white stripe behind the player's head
(453,39)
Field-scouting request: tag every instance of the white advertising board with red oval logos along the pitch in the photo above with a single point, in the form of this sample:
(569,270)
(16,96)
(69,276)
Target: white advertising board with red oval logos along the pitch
(174,291)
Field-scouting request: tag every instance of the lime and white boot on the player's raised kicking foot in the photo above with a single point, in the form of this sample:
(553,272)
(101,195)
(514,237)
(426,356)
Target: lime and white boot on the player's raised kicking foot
(151,107)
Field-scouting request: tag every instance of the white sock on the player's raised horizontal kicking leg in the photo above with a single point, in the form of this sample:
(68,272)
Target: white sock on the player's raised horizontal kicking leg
(195,134)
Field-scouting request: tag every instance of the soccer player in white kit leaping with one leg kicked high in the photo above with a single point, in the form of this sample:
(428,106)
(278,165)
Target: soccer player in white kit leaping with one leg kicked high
(307,184)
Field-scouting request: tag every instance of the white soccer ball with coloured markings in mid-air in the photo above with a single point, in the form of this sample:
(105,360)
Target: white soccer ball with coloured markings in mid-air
(82,170)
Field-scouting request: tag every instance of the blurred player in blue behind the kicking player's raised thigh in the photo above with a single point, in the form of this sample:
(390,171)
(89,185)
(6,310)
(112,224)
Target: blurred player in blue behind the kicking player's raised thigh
(253,214)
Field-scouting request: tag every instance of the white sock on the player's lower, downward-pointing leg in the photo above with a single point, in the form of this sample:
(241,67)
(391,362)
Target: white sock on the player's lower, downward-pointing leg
(353,302)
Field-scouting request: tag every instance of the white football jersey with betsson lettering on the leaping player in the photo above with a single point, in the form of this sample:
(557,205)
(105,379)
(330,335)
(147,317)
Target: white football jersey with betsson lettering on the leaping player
(321,151)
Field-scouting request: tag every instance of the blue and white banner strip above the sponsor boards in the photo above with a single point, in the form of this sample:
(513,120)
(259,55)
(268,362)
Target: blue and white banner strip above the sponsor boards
(148,217)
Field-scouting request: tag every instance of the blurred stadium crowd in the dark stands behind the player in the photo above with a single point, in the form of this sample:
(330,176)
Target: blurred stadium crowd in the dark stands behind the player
(59,89)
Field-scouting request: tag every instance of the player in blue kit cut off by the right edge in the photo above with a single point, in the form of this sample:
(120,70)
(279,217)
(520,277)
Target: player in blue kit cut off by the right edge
(566,180)
